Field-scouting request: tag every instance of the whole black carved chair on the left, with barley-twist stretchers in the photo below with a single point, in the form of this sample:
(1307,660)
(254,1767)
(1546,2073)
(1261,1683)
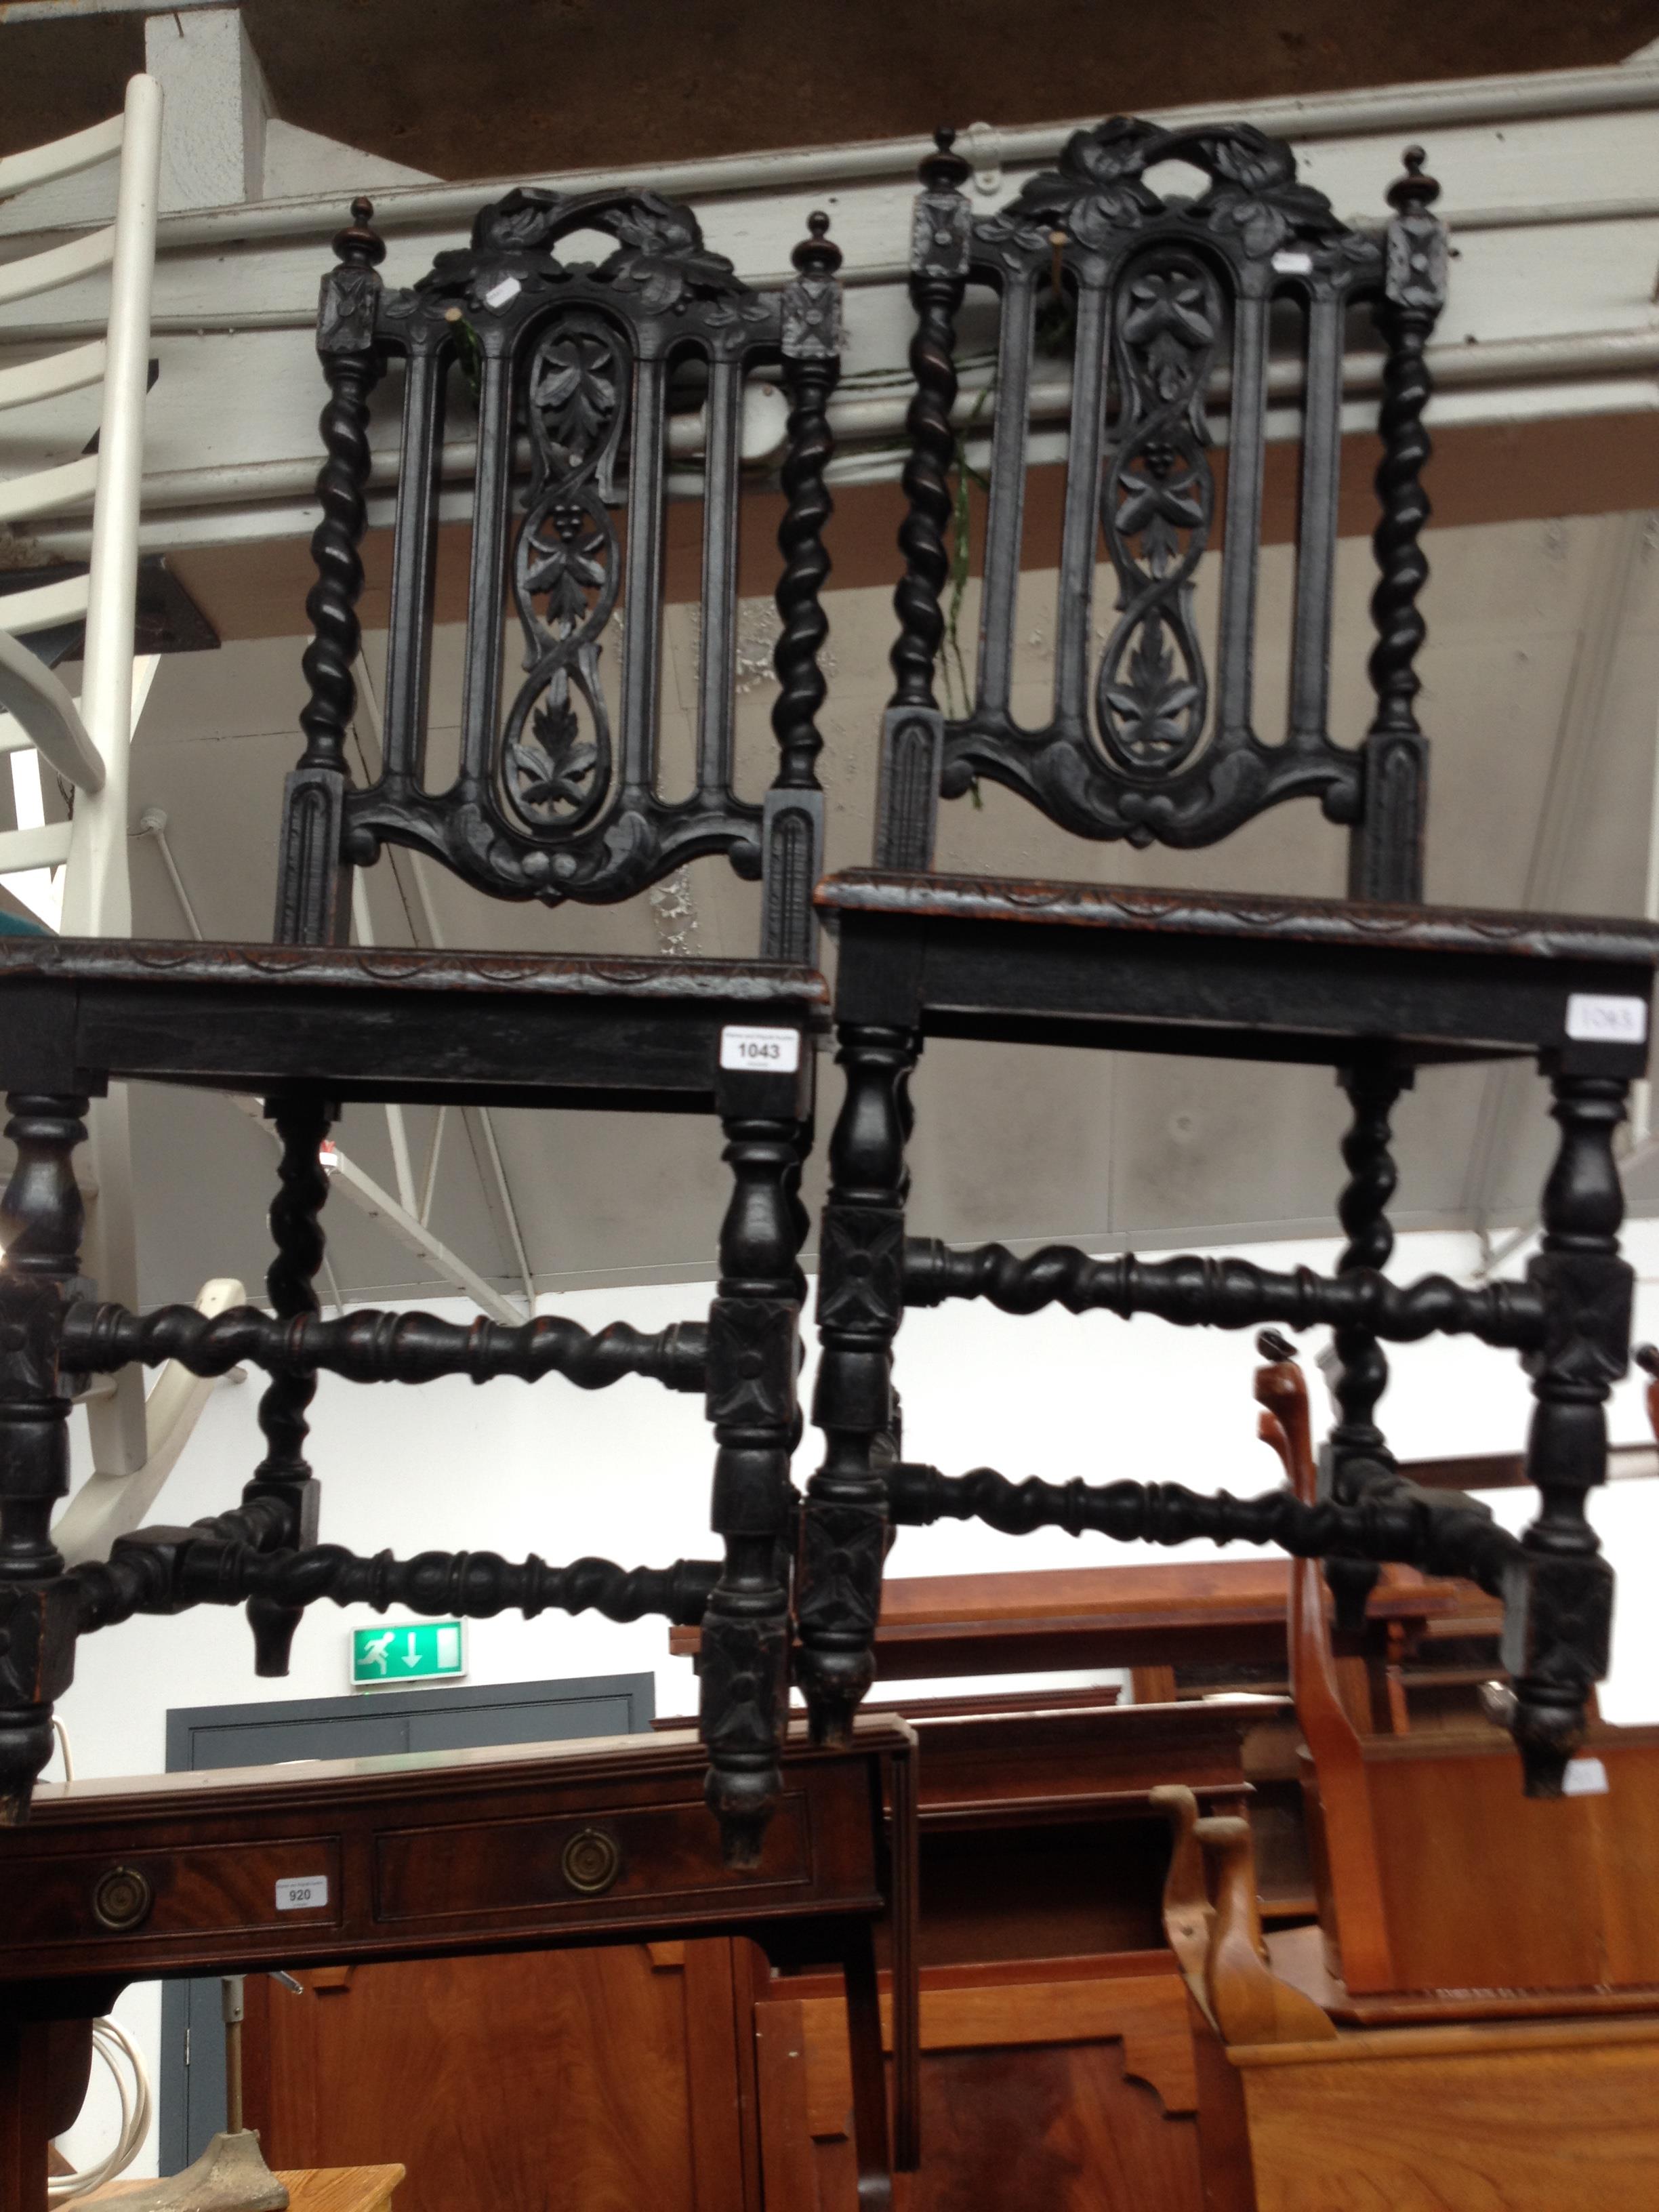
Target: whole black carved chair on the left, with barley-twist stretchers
(574,362)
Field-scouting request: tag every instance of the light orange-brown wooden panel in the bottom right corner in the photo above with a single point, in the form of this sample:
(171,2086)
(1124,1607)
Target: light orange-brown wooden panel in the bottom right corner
(1527,2120)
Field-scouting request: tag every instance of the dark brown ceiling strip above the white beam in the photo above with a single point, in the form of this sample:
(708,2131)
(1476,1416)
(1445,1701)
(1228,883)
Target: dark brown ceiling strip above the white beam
(497,87)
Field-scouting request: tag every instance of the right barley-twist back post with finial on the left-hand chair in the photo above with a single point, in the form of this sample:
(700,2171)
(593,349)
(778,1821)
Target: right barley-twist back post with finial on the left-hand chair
(793,828)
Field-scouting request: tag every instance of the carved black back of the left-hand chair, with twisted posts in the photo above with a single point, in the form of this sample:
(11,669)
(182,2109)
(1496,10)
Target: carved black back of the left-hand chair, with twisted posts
(572,362)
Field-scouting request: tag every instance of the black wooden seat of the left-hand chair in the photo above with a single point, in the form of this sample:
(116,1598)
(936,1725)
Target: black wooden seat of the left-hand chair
(390,1025)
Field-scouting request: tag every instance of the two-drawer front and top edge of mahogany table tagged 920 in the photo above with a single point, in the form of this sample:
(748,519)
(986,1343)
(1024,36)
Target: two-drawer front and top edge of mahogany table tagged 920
(428,1855)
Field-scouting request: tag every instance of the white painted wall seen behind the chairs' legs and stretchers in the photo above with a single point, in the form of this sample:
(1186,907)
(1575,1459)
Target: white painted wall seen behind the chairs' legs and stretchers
(625,1474)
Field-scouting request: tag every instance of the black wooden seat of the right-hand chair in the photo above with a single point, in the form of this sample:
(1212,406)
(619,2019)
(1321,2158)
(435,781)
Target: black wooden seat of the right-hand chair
(1233,972)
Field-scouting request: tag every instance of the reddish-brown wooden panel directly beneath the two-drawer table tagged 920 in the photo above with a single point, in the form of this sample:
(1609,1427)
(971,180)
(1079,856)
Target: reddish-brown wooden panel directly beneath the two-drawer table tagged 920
(528,2083)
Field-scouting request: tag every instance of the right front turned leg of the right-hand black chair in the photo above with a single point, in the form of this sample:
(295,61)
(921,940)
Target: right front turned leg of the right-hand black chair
(1558,1618)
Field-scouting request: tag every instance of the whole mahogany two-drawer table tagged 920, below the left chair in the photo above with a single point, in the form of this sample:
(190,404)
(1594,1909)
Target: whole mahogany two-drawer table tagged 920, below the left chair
(430,1857)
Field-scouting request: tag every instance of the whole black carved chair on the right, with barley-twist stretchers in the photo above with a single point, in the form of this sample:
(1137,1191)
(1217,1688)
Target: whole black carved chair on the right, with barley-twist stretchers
(1147,744)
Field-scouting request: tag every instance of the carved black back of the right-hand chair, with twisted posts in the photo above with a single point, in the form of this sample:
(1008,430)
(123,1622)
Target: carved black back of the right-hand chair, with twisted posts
(1171,302)
